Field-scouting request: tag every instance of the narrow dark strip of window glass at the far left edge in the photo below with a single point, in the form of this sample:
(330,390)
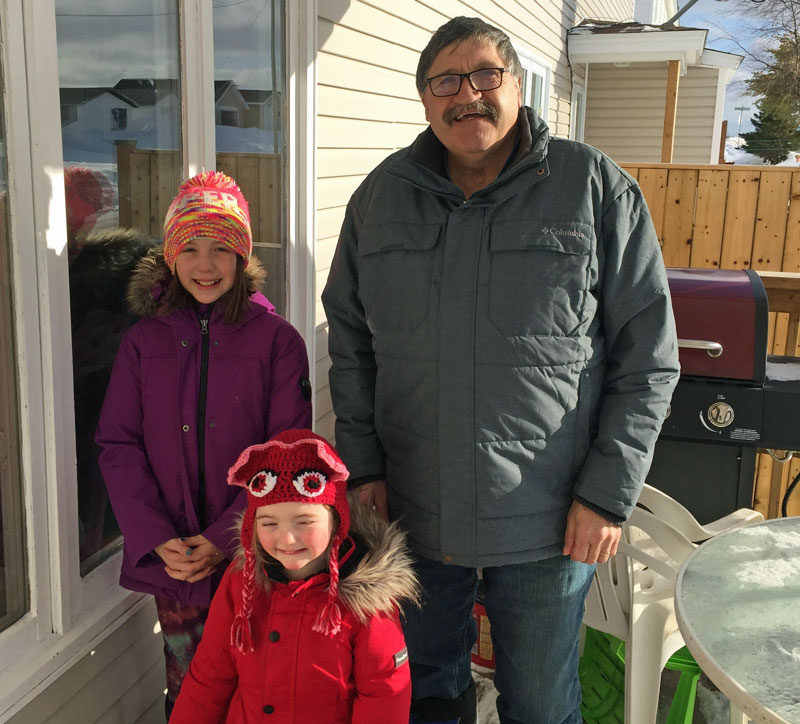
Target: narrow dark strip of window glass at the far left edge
(14,597)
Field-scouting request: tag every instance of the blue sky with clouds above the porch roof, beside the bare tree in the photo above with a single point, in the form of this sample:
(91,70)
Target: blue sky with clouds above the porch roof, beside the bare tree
(715,15)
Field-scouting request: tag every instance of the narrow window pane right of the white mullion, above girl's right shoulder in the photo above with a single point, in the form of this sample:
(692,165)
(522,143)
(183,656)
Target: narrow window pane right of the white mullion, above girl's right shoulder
(249,54)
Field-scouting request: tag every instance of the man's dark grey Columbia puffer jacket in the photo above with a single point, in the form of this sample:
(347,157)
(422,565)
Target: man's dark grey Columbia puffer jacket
(496,358)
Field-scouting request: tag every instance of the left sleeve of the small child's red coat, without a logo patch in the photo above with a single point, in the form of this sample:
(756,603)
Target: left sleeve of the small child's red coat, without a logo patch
(213,677)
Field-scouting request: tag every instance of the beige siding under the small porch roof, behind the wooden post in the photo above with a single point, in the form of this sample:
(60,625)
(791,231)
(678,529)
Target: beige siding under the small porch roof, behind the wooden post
(625,112)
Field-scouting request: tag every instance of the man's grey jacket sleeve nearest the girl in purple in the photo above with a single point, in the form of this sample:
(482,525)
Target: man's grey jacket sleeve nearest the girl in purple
(353,369)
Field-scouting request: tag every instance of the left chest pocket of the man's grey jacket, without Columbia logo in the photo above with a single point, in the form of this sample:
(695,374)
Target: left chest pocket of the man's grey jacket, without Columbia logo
(395,272)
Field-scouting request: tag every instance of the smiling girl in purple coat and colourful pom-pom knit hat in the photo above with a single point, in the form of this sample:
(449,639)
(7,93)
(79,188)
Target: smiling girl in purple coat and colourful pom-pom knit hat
(208,370)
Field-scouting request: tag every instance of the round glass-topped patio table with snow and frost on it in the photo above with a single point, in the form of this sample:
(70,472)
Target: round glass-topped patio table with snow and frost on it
(737,602)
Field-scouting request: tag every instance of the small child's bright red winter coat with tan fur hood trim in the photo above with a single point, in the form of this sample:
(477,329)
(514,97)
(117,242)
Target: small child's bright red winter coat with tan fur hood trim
(297,675)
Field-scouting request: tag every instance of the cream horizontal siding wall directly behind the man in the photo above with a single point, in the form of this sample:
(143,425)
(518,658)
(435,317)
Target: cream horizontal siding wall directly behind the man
(368,107)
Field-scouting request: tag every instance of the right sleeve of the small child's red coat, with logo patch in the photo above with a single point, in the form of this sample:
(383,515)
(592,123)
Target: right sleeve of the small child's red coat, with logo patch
(381,673)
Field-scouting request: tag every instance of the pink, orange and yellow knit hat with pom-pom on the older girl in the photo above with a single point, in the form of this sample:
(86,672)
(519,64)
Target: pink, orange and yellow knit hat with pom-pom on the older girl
(210,205)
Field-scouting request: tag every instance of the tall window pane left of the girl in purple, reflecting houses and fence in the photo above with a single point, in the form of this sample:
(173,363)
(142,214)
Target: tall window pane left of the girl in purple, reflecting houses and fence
(121,135)
